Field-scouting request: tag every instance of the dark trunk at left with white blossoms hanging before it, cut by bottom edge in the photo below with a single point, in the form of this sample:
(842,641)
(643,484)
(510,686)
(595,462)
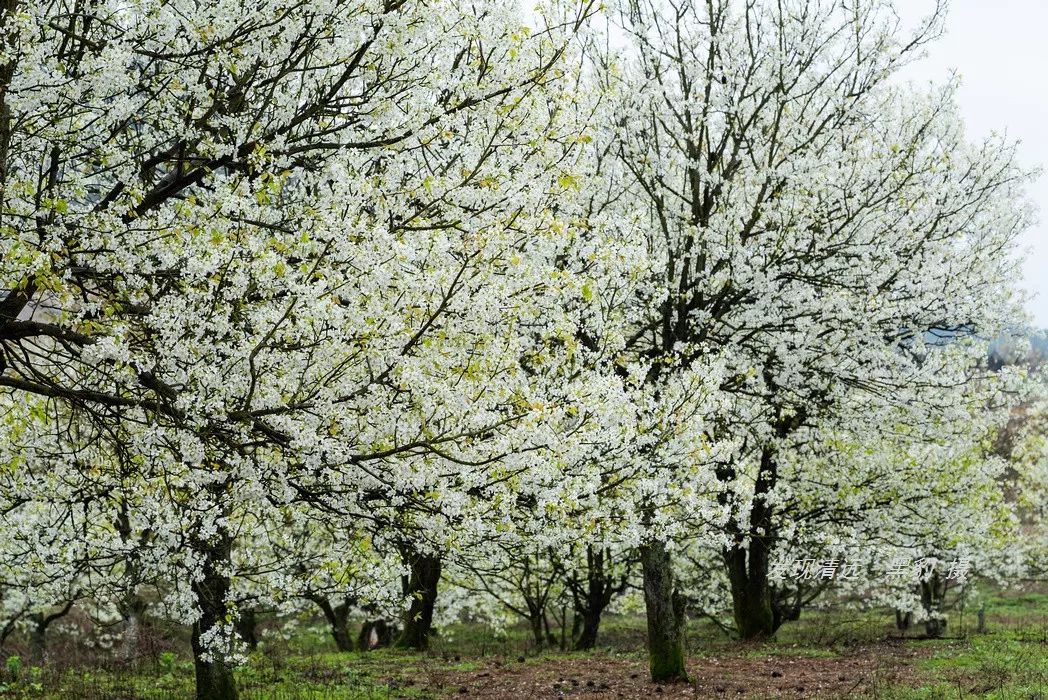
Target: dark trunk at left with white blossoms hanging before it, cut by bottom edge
(214,677)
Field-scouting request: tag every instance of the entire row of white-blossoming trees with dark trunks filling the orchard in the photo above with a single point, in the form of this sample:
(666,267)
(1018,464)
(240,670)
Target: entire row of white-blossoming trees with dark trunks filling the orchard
(343,304)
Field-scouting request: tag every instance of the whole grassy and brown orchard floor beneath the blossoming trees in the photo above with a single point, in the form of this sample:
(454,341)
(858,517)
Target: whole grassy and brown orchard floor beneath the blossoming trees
(827,654)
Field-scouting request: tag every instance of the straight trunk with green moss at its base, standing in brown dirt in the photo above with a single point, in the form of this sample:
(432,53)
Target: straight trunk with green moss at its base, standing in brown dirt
(666,616)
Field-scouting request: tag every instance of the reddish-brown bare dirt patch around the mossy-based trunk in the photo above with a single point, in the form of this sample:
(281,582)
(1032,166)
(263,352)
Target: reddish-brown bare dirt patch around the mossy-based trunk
(856,672)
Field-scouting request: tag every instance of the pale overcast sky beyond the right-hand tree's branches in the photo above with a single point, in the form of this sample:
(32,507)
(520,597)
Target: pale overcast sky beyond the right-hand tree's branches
(1000,51)
